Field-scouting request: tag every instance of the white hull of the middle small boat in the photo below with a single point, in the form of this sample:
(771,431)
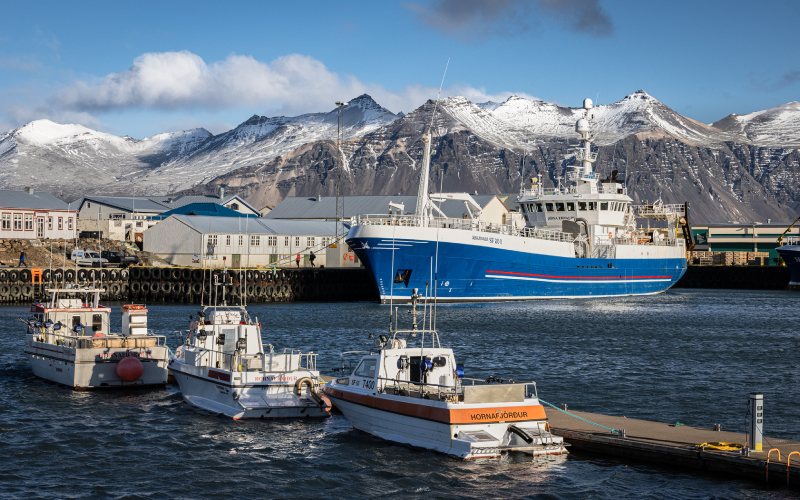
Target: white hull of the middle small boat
(208,389)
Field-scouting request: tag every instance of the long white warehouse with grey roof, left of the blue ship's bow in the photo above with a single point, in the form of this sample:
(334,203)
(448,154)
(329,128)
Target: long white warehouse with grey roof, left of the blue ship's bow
(215,242)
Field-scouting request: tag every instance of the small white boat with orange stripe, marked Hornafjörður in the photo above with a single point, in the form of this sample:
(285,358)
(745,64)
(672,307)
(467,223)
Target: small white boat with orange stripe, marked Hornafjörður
(411,391)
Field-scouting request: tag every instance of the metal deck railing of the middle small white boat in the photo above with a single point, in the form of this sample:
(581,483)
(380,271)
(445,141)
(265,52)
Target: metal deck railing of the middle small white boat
(287,361)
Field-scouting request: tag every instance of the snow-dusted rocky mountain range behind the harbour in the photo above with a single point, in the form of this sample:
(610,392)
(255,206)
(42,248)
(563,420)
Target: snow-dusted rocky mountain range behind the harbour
(741,168)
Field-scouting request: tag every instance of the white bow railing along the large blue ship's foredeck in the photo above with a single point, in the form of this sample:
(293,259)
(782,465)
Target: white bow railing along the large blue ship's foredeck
(464,224)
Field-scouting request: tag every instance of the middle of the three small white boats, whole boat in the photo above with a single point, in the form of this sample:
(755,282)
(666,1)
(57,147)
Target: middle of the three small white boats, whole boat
(223,367)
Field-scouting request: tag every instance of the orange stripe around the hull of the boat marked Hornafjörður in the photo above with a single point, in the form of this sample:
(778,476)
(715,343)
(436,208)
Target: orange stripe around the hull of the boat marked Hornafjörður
(449,416)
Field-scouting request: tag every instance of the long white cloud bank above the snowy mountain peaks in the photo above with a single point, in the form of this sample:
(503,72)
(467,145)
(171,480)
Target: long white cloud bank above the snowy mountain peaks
(291,84)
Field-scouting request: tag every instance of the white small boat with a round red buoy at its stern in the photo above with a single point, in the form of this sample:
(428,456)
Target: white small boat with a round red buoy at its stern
(68,342)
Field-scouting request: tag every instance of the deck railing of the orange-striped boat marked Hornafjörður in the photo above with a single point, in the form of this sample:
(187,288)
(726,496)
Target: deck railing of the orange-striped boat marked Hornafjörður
(465,390)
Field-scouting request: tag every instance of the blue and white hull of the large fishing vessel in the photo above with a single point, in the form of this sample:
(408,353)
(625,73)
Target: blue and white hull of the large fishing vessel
(477,266)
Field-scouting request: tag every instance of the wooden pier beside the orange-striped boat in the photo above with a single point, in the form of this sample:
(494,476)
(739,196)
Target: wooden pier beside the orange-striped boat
(678,446)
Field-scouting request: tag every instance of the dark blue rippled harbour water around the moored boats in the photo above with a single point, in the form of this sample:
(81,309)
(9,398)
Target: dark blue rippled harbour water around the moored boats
(689,356)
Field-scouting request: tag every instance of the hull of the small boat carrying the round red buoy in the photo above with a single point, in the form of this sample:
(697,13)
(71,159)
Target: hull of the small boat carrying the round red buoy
(89,368)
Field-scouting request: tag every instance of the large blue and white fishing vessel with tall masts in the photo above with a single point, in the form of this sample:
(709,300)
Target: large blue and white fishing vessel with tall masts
(579,239)
